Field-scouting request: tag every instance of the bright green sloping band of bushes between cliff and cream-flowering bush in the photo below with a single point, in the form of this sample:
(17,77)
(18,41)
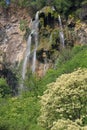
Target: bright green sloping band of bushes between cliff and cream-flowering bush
(68,61)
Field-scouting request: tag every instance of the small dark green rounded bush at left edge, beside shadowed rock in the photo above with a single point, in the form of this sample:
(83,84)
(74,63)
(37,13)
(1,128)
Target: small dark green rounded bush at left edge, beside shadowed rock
(4,88)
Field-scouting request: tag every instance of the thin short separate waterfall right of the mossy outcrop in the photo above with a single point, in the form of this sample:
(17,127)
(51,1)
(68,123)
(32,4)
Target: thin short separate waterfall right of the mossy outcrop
(61,31)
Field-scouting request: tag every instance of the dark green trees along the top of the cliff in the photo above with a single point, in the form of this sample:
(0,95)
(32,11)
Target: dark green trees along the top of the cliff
(62,6)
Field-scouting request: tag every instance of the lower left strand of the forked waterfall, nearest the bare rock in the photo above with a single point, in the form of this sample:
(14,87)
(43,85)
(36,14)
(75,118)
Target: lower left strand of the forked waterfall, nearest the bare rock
(27,54)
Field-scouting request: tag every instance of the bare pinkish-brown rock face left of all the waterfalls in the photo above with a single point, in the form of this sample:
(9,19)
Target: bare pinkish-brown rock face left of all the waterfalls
(12,42)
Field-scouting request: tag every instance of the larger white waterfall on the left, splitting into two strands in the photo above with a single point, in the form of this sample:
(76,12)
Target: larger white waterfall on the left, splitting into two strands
(34,31)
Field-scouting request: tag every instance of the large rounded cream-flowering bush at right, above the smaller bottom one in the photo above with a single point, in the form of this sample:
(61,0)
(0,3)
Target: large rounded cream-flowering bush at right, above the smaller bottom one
(65,99)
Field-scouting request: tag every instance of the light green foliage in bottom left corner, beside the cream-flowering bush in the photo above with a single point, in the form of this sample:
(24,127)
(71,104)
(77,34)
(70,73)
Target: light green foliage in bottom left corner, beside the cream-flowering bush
(19,113)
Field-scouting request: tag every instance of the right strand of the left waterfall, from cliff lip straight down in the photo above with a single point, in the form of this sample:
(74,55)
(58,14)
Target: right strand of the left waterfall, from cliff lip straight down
(35,28)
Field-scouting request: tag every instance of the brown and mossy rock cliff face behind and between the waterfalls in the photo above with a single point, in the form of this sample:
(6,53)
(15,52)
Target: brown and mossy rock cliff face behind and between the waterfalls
(13,45)
